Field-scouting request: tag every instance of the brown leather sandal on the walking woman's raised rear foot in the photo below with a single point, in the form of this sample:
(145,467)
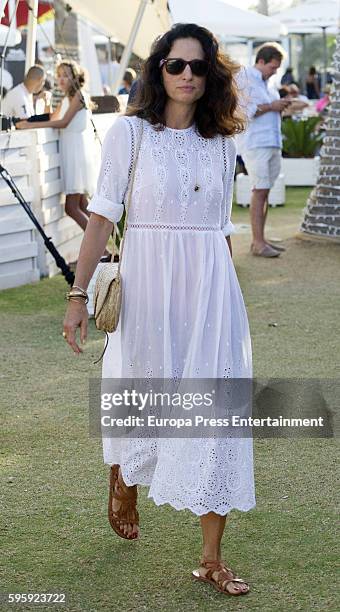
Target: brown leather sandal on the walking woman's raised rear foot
(127,512)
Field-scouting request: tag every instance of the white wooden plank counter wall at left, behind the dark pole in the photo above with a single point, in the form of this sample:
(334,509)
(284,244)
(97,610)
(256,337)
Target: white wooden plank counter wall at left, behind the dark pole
(32,158)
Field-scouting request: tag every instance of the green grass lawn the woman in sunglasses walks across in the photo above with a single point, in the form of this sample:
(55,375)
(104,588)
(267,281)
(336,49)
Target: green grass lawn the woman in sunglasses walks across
(55,535)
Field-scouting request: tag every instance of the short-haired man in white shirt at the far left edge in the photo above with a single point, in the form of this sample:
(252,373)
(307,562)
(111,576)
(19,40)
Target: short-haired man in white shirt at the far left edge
(19,100)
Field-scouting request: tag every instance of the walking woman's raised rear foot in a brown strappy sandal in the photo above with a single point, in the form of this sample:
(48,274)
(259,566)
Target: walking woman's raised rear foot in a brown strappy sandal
(123,514)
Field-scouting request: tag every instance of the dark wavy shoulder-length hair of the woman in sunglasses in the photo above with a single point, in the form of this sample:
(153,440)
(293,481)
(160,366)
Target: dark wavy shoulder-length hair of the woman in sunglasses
(217,110)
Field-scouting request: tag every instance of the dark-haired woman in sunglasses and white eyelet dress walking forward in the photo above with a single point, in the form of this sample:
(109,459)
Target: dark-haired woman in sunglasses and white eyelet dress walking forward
(183,314)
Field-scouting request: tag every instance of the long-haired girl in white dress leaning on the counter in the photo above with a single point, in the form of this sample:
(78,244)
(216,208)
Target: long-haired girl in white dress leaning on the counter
(77,142)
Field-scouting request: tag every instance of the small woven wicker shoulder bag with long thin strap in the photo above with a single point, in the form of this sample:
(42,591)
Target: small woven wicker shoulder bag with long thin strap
(108,287)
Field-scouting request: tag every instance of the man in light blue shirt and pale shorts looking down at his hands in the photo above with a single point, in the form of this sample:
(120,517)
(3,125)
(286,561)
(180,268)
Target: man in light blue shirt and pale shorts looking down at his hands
(260,145)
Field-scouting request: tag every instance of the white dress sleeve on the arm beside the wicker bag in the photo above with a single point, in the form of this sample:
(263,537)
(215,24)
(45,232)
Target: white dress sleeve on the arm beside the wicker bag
(108,200)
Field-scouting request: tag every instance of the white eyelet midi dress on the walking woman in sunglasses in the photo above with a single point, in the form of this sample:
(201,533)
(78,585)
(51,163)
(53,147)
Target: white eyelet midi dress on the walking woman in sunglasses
(183,314)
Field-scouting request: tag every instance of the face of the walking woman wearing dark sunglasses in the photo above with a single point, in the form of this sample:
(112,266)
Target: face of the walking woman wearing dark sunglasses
(186,87)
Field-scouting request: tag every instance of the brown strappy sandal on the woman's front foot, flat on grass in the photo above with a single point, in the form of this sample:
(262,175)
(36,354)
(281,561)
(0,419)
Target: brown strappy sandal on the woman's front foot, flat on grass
(224,578)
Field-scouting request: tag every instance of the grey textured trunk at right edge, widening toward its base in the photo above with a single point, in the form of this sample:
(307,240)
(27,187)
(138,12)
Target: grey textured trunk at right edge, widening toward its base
(322,212)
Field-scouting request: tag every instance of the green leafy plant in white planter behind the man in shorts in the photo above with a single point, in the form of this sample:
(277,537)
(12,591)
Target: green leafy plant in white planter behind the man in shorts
(301,142)
